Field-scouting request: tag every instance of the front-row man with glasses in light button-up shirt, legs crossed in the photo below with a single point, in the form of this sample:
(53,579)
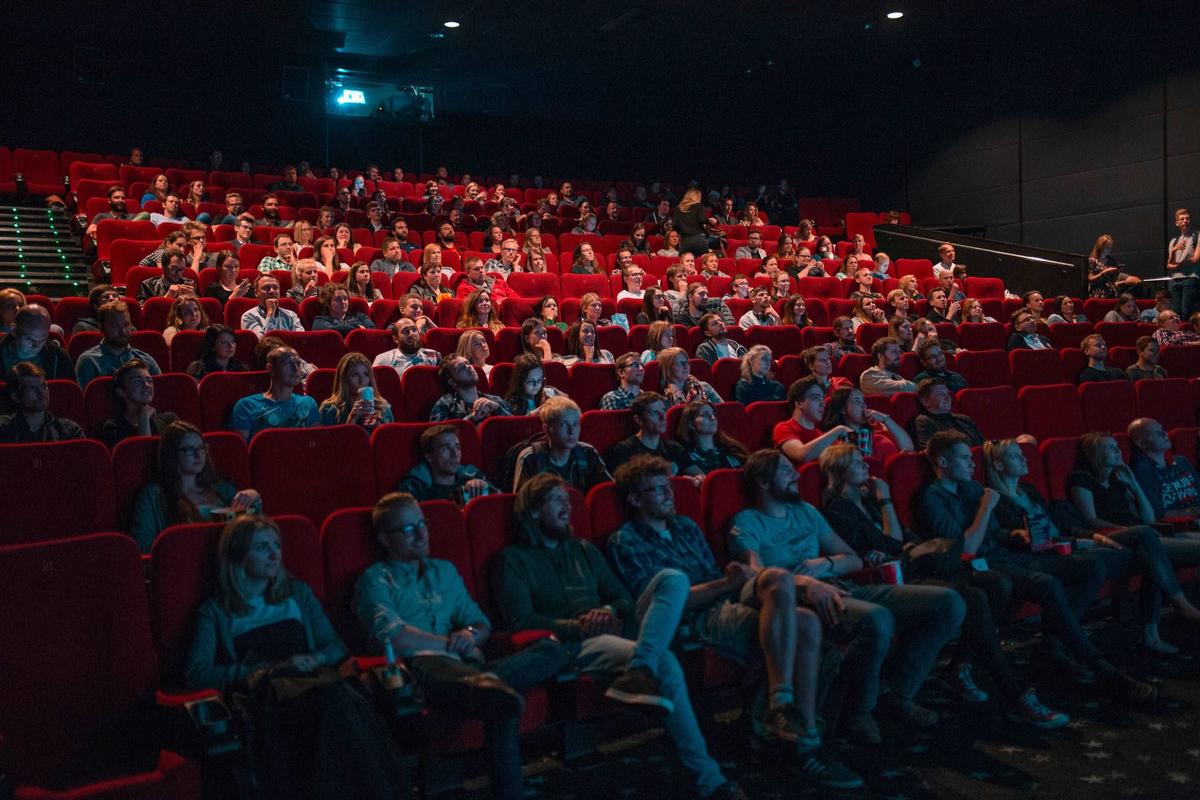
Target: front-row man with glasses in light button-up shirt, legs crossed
(417,607)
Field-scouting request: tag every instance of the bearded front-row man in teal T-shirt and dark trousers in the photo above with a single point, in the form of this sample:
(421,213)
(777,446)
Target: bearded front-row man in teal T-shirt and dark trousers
(782,531)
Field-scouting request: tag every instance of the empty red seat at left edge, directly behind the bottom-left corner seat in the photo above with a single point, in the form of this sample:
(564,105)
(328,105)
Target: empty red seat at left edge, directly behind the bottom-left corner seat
(38,474)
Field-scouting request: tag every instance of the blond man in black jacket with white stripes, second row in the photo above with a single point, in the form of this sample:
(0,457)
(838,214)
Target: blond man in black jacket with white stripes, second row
(562,454)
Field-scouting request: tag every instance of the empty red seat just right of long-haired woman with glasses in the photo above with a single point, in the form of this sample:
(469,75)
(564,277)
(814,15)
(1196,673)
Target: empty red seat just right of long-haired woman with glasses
(327,468)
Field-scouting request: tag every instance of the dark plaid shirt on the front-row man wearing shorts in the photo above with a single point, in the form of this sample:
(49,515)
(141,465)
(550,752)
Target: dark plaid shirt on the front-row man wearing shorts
(639,554)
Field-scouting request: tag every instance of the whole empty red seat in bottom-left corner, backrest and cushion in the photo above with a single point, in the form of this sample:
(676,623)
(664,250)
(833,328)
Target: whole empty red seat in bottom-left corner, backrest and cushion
(79,670)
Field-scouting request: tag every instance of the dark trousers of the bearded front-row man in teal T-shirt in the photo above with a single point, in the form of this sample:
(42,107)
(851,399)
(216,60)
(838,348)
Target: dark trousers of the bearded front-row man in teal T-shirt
(922,618)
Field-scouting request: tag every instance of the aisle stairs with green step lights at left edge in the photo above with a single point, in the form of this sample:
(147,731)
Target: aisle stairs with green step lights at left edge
(39,255)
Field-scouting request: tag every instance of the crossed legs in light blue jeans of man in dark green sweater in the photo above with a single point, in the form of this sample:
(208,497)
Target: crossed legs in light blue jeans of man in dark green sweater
(657,616)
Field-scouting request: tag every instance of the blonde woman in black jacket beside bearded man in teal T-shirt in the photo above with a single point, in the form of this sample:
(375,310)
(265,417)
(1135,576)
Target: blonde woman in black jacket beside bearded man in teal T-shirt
(860,510)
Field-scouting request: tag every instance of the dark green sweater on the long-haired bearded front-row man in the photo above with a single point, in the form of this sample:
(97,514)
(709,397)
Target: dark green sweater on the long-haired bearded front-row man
(538,587)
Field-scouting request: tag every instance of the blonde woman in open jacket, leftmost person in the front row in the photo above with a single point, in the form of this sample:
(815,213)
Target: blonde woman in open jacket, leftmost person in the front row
(265,634)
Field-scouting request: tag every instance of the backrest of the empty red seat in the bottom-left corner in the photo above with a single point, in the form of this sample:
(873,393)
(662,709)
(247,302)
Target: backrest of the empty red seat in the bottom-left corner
(79,659)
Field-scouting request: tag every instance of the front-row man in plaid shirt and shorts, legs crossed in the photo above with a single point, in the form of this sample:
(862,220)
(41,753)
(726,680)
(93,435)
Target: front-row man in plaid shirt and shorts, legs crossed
(733,611)
